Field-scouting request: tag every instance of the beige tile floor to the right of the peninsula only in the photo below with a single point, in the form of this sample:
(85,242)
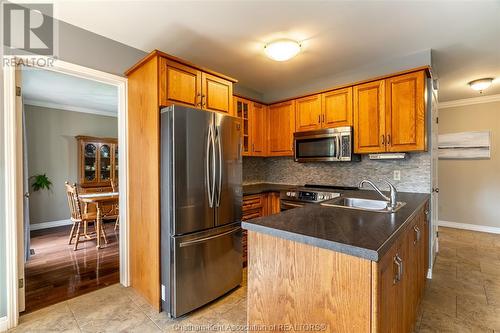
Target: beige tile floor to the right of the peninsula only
(464,293)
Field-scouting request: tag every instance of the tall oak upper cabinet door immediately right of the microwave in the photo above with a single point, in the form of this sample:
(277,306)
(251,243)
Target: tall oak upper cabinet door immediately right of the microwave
(369,117)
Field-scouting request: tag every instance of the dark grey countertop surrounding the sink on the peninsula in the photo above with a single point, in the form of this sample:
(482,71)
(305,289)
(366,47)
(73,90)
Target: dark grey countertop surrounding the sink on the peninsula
(359,233)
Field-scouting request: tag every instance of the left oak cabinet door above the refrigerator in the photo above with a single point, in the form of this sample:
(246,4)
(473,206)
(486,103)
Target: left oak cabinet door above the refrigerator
(179,84)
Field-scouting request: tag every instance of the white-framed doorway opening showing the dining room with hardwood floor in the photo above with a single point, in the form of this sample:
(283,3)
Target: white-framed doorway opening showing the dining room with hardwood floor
(70,141)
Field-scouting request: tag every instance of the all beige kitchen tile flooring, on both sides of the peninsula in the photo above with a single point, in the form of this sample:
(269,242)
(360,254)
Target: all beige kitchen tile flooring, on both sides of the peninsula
(463,296)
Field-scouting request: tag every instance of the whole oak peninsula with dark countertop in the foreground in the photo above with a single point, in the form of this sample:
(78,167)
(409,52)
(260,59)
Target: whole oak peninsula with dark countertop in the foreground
(337,269)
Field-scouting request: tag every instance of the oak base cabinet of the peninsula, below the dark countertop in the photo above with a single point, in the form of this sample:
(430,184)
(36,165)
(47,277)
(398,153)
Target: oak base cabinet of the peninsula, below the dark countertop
(294,283)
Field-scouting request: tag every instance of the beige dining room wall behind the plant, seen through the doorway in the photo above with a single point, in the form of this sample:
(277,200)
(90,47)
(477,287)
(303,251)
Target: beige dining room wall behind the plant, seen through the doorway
(52,149)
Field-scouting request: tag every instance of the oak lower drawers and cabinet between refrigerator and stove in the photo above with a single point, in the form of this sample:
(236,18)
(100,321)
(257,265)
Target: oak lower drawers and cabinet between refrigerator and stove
(258,205)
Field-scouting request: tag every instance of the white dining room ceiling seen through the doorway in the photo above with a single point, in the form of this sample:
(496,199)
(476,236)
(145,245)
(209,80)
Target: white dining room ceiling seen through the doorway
(56,90)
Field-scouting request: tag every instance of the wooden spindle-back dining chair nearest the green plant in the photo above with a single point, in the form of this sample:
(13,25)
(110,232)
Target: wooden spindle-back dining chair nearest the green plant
(78,217)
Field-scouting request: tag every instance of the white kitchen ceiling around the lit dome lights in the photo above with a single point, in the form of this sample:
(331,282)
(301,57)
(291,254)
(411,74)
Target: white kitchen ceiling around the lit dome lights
(338,37)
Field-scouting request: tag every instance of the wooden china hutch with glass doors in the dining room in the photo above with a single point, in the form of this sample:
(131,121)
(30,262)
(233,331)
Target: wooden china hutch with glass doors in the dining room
(97,161)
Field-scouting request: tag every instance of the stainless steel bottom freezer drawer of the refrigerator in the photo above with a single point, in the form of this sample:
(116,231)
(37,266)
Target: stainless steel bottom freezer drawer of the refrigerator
(206,266)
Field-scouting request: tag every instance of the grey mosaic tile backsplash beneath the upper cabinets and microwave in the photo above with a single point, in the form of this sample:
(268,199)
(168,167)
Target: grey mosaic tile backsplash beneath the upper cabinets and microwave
(415,172)
